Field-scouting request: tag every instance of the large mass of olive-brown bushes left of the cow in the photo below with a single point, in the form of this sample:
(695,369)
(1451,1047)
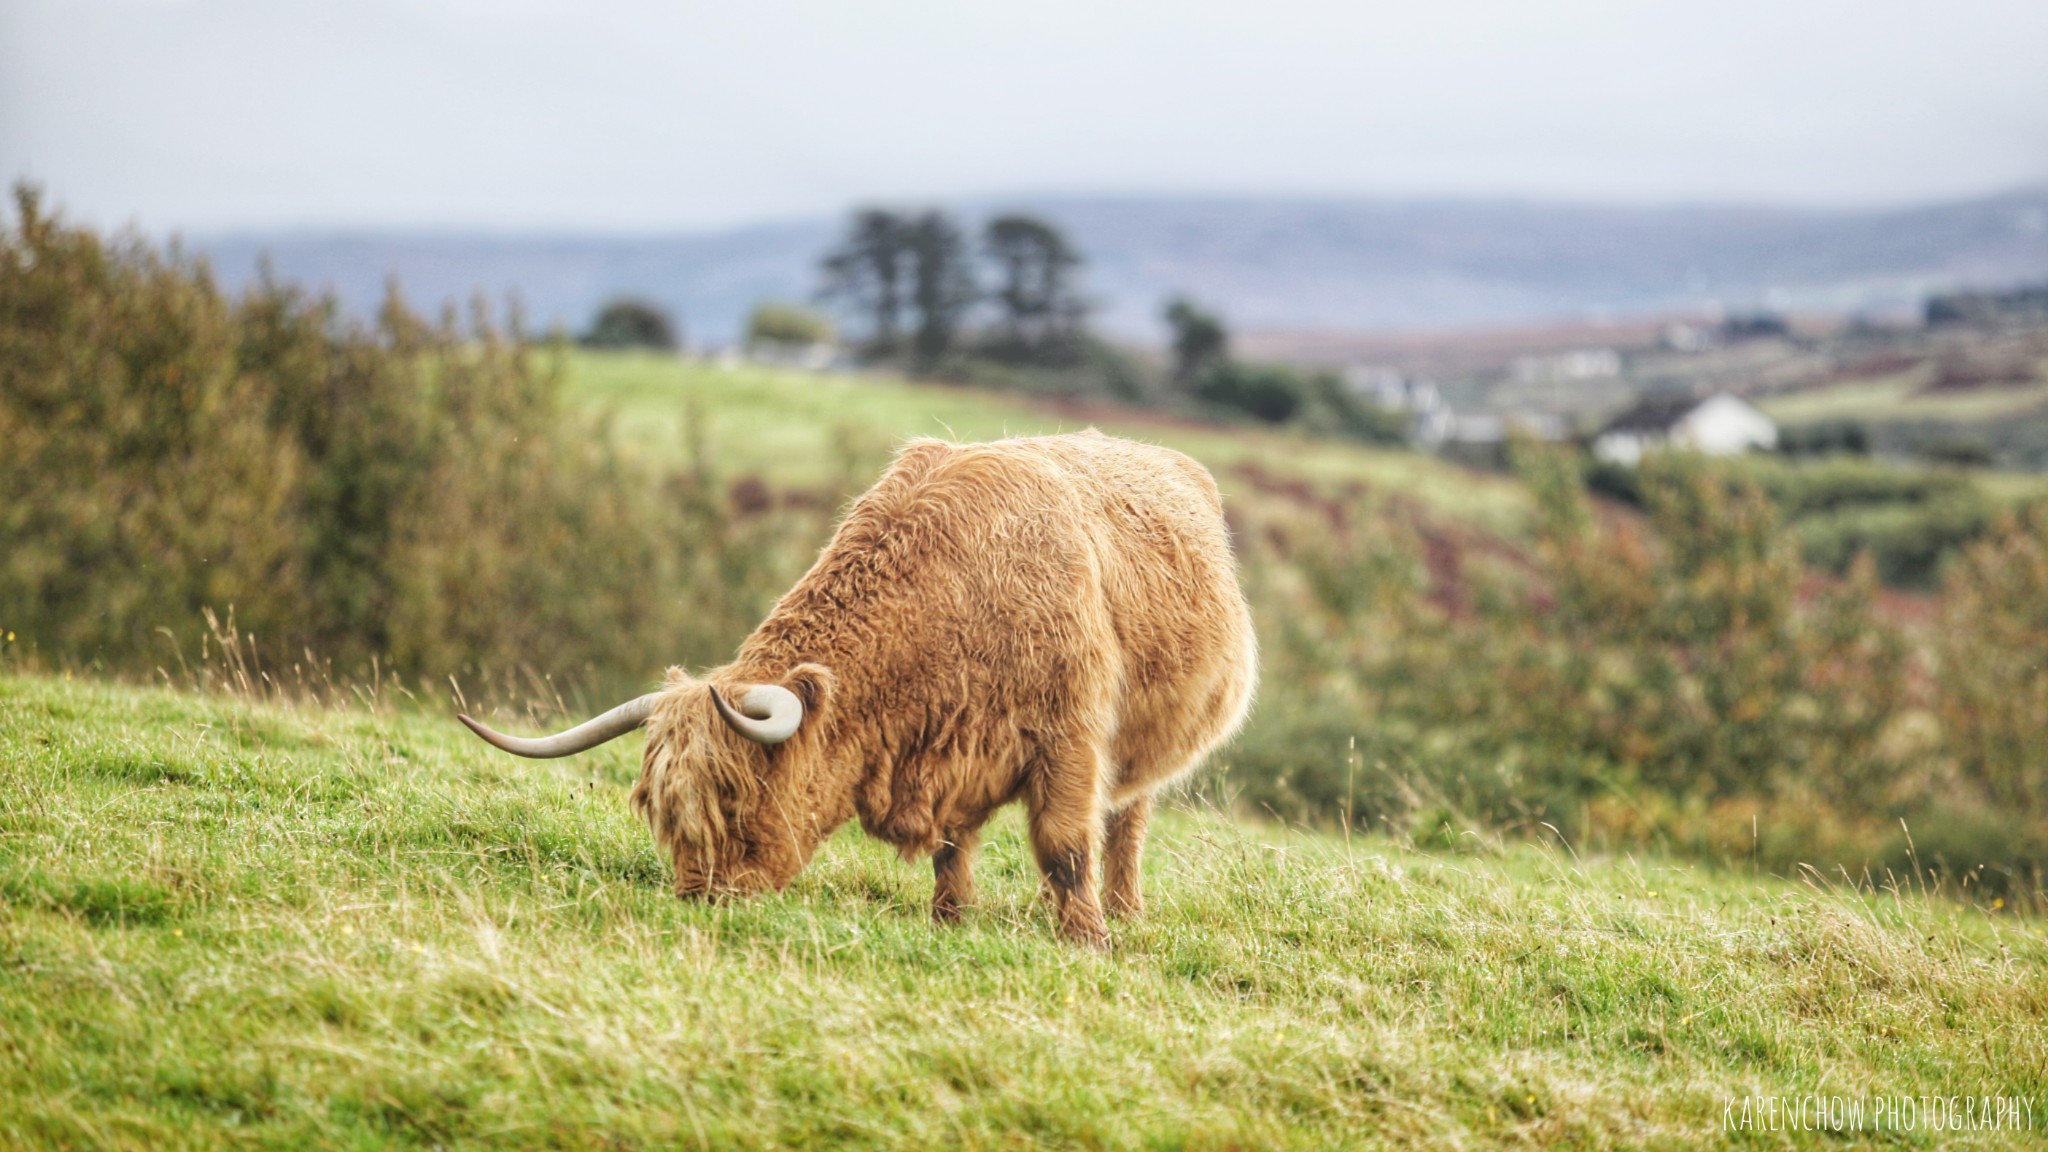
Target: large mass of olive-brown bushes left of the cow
(392,497)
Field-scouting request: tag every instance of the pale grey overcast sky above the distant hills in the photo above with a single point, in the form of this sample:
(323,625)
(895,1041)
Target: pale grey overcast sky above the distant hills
(679,116)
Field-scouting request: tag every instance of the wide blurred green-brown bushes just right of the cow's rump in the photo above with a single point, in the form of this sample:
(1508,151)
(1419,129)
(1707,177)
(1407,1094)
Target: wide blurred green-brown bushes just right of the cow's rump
(1664,661)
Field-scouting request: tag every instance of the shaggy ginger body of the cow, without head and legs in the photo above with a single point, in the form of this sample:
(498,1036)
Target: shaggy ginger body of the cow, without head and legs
(984,600)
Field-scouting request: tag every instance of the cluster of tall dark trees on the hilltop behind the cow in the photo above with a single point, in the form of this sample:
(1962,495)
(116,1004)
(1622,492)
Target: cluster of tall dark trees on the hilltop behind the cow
(916,284)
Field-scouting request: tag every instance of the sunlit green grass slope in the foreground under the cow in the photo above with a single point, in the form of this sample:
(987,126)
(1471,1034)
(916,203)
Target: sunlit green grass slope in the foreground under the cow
(290,928)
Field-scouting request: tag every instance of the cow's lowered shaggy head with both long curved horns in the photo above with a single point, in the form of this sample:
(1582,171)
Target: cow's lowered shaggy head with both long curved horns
(734,776)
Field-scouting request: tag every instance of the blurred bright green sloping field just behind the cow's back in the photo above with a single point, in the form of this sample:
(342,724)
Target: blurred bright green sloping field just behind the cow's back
(804,429)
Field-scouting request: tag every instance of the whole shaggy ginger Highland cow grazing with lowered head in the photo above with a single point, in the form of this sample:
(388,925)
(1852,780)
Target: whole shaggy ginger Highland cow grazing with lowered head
(1052,620)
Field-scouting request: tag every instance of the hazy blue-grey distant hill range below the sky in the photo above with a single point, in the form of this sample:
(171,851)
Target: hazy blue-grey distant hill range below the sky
(1267,263)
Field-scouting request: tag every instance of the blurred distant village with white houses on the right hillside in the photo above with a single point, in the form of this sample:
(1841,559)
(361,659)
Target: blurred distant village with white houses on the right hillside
(1697,382)
